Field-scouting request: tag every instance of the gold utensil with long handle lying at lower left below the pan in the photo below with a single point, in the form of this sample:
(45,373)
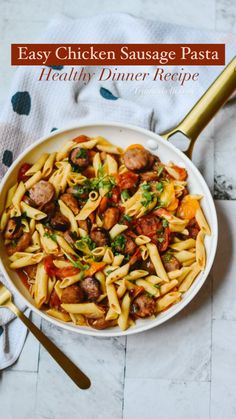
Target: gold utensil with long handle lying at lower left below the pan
(79,378)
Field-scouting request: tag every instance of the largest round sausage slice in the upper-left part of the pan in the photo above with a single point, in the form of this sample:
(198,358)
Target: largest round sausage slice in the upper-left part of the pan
(42,193)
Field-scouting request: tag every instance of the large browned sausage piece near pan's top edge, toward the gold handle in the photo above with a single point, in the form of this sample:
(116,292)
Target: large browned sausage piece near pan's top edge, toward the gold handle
(136,158)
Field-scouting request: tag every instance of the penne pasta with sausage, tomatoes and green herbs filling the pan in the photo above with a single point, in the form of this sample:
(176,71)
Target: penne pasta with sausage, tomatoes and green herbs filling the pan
(102,237)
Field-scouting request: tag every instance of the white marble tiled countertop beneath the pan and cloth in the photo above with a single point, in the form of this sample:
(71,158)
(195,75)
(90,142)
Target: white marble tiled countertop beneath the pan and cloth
(184,369)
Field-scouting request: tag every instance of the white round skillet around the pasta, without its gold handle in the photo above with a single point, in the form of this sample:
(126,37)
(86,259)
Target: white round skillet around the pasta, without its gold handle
(121,135)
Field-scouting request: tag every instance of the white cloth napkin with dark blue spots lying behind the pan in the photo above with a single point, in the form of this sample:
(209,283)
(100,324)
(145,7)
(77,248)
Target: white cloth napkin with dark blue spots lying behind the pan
(35,108)
